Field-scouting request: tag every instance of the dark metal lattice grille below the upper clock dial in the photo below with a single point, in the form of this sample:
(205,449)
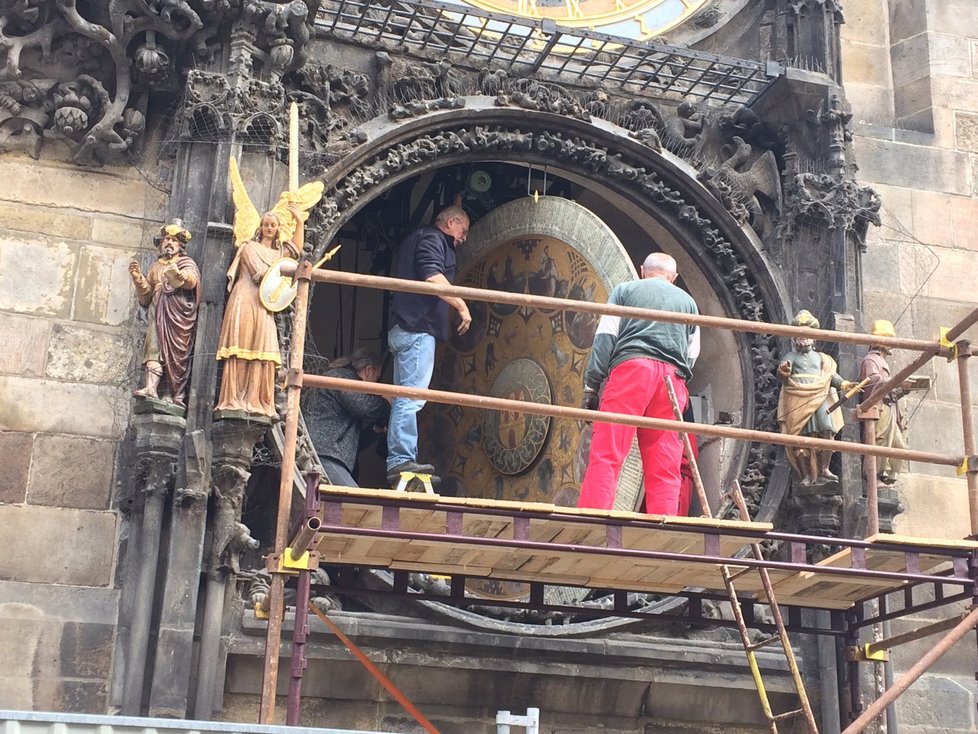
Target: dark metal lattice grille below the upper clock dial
(479,39)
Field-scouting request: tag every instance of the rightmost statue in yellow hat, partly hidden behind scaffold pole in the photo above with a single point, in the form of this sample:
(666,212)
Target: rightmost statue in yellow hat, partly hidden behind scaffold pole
(891,425)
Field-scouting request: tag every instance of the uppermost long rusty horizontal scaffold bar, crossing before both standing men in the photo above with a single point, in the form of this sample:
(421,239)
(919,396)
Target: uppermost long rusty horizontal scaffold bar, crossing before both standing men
(567,304)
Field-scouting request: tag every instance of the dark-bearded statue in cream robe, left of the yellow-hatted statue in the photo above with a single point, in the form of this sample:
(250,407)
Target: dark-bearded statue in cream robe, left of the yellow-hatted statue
(810,386)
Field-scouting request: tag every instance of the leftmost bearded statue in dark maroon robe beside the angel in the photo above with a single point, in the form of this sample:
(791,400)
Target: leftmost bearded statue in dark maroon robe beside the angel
(170,292)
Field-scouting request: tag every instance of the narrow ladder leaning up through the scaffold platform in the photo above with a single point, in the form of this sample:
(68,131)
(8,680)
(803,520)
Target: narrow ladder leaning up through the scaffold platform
(728,575)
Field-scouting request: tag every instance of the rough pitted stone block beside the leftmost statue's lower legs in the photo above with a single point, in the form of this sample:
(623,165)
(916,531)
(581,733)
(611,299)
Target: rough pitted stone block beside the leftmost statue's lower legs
(81,354)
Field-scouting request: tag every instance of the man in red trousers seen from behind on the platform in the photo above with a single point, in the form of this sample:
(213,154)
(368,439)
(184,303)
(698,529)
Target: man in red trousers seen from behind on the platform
(633,357)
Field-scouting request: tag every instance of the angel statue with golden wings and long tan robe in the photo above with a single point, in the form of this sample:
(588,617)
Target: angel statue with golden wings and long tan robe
(248,344)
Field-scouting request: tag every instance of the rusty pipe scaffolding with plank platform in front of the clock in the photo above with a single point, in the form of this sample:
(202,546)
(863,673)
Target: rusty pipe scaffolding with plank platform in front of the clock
(867,582)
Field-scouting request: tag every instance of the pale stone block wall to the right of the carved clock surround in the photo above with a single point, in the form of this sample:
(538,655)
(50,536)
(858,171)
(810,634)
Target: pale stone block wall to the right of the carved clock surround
(915,114)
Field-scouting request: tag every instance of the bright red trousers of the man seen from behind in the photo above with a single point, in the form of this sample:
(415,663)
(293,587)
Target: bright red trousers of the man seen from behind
(636,387)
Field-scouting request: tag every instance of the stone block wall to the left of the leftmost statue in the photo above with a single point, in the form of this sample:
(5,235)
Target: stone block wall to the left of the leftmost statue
(68,326)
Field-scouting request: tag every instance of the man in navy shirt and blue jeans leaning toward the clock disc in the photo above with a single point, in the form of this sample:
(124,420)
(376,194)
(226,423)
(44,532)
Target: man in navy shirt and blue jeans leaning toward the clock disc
(417,323)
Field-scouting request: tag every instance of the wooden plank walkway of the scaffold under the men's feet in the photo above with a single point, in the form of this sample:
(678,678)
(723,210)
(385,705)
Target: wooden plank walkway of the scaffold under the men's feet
(576,547)
